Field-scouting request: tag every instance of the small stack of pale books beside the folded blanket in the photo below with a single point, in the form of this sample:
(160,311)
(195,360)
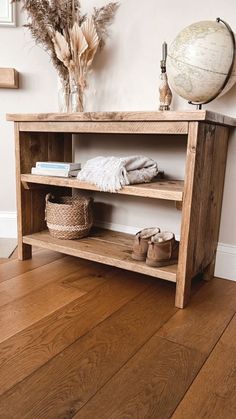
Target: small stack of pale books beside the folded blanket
(60,169)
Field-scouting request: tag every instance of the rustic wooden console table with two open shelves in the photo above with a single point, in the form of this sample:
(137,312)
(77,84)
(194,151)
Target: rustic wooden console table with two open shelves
(45,137)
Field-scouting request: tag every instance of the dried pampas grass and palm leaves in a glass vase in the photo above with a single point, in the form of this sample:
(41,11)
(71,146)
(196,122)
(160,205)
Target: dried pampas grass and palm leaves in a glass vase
(71,38)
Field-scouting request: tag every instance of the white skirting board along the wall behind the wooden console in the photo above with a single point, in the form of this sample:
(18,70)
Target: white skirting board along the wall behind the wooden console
(226,253)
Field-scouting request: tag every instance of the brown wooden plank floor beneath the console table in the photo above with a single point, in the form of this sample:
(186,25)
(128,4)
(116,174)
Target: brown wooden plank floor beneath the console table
(82,340)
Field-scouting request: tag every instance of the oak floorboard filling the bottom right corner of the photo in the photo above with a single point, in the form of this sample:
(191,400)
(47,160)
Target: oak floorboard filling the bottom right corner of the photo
(213,393)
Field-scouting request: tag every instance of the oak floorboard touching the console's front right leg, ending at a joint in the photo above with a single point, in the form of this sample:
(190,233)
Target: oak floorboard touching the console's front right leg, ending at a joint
(200,325)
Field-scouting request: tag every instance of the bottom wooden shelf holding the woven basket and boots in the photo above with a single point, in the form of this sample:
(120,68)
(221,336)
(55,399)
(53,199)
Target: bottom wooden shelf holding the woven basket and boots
(103,246)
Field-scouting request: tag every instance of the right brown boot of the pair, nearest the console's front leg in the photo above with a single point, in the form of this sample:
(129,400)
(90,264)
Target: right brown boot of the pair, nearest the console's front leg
(163,250)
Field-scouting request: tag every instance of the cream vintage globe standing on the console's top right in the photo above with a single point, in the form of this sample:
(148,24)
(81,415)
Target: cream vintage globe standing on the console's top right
(199,60)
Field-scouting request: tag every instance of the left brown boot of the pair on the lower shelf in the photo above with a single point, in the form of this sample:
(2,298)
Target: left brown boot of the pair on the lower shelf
(140,246)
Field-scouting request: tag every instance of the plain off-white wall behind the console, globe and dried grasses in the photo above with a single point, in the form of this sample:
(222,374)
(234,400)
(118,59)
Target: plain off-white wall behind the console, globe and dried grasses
(126,77)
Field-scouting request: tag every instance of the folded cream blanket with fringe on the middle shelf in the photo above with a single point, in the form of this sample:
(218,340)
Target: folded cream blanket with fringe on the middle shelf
(110,174)
